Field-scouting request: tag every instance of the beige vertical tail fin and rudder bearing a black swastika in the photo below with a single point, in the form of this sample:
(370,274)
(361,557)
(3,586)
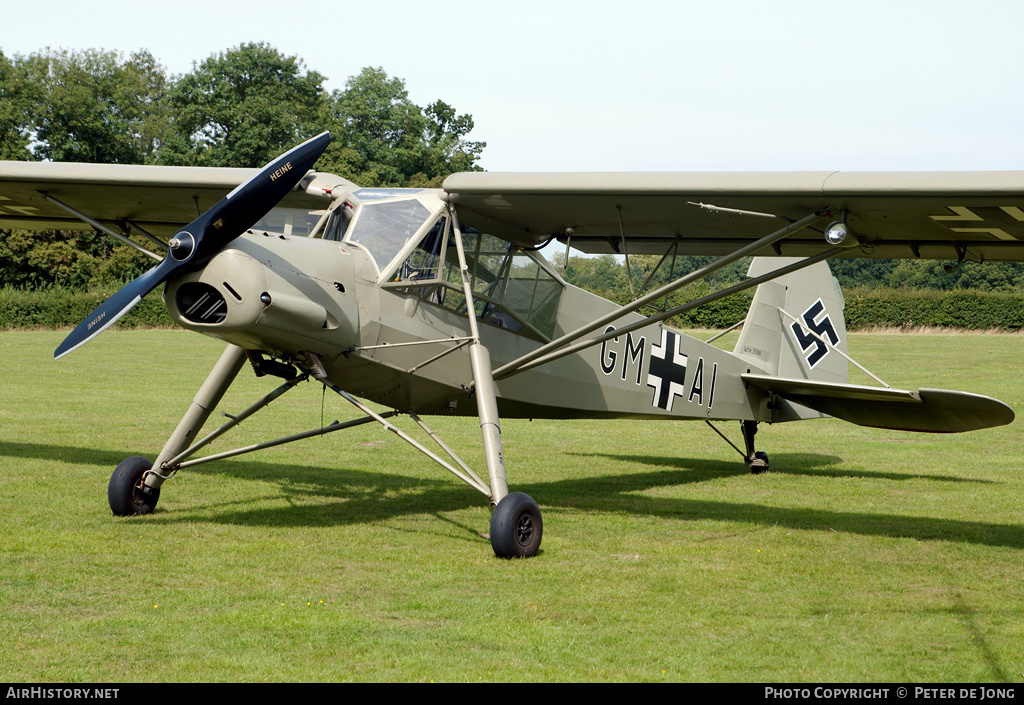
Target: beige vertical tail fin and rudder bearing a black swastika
(776,344)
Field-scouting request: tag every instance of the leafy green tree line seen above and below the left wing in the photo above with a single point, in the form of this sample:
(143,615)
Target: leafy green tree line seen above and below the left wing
(239,108)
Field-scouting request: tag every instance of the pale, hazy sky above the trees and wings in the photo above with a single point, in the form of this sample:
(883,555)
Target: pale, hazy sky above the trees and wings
(632,87)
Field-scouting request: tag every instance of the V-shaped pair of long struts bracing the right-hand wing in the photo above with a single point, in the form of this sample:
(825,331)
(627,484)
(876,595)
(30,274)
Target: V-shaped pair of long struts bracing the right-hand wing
(556,349)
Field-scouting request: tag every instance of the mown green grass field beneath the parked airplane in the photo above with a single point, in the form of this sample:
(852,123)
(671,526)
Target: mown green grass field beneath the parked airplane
(863,556)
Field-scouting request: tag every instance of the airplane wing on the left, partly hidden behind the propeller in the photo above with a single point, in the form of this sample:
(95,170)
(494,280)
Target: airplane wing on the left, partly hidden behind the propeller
(159,199)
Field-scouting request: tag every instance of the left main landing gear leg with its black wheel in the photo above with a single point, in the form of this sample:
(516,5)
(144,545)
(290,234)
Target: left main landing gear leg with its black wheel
(135,487)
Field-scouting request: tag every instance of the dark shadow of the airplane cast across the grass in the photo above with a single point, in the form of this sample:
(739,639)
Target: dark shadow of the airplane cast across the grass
(365,496)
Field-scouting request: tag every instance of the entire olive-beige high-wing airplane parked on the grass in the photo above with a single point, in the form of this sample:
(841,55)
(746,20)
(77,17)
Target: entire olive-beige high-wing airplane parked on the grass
(435,302)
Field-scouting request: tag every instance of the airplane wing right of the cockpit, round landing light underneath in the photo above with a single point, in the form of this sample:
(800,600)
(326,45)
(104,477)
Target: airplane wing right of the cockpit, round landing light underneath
(975,216)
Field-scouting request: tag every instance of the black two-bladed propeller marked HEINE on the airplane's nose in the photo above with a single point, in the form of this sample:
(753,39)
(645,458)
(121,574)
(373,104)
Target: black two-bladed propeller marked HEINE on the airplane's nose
(194,245)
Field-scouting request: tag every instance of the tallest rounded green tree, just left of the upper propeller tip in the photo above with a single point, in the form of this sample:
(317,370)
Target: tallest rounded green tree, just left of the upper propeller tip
(243,108)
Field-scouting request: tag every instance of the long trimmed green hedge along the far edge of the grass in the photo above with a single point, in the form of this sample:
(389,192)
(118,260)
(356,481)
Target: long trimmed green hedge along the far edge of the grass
(865,309)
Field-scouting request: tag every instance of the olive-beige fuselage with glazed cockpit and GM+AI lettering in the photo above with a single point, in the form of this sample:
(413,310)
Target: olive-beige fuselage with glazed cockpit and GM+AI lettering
(377,294)
